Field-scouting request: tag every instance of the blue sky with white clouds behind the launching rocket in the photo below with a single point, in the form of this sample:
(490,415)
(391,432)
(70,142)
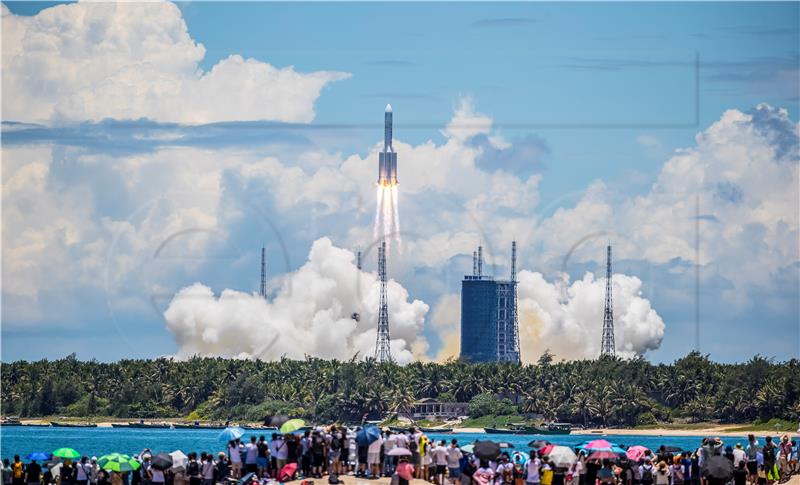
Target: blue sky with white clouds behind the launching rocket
(588,107)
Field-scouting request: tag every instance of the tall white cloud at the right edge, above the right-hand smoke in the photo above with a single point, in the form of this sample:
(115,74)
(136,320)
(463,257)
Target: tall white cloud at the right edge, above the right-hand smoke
(743,171)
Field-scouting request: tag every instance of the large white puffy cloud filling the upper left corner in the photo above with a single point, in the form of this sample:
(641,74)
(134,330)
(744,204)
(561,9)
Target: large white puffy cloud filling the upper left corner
(90,61)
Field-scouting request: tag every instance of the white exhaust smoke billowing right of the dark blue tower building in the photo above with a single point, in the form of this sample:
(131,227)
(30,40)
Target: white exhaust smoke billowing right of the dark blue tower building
(567,318)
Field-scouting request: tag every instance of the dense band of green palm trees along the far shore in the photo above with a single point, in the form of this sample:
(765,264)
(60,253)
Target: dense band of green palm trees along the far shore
(607,391)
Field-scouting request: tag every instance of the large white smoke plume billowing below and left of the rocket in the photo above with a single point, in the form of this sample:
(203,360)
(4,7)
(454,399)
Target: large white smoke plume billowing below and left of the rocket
(311,314)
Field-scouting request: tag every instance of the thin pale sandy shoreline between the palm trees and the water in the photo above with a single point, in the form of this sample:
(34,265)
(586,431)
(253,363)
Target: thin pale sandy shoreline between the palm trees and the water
(711,430)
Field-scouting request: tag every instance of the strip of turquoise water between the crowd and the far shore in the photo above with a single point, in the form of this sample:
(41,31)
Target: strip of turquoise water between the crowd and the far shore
(98,441)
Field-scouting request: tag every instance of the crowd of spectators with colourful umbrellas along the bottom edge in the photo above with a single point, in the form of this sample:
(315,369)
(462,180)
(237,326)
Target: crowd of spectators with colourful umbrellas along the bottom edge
(406,455)
